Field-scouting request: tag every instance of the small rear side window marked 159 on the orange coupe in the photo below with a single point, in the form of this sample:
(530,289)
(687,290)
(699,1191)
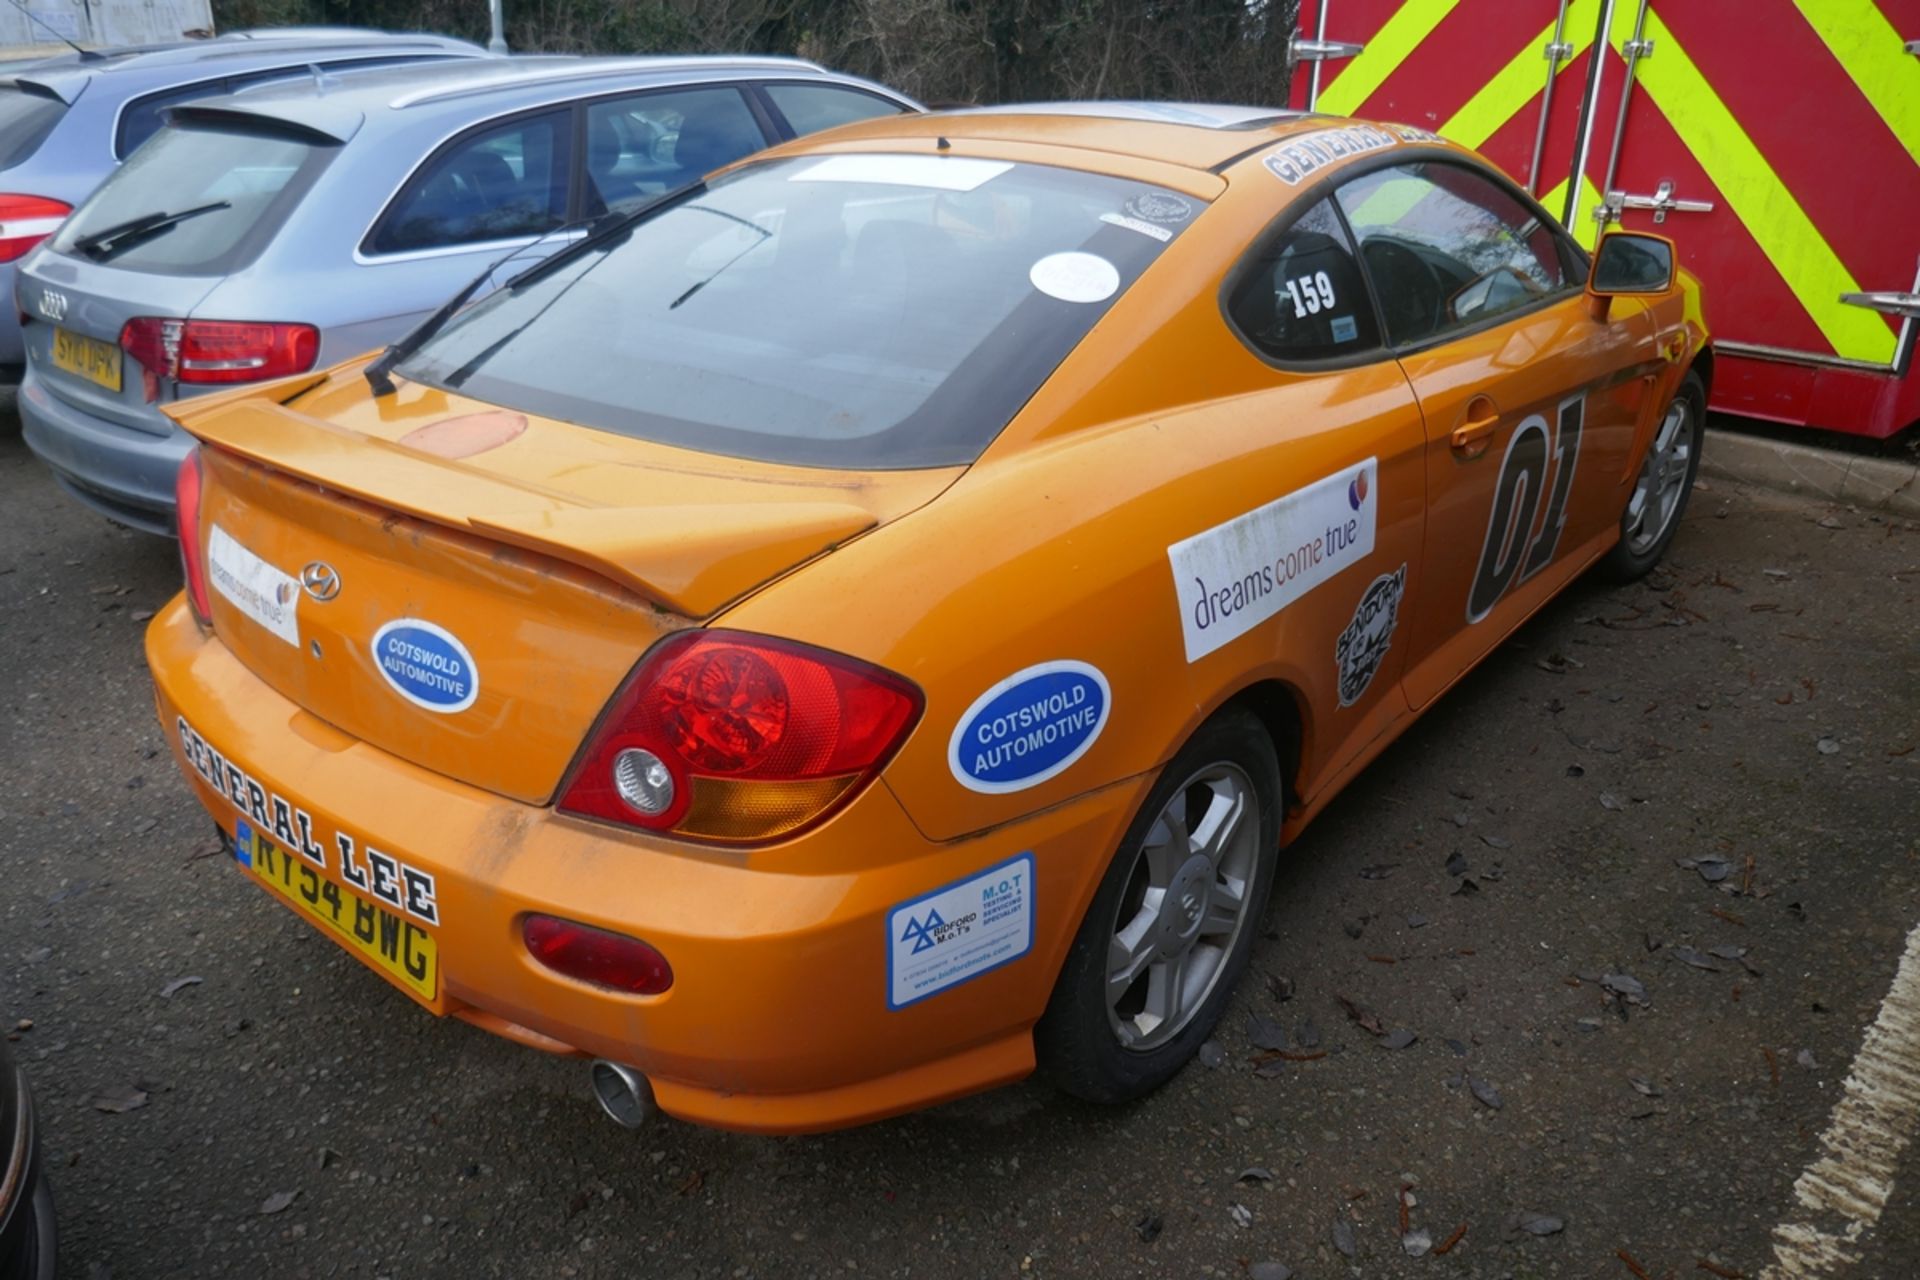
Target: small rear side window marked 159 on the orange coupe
(1301,295)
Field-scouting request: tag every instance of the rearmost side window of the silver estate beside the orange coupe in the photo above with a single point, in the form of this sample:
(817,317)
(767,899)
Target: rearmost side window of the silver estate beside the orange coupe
(492,185)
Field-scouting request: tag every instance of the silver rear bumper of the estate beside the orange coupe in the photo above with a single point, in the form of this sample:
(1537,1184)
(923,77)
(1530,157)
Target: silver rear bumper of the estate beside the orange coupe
(120,471)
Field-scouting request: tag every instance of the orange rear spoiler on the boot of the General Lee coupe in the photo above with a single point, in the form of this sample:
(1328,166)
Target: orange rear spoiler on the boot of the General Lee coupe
(688,559)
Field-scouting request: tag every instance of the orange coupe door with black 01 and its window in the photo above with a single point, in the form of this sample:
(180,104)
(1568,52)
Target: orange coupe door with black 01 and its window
(1529,400)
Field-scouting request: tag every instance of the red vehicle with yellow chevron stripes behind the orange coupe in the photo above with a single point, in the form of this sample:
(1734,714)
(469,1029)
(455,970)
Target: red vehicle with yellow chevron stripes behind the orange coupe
(1775,141)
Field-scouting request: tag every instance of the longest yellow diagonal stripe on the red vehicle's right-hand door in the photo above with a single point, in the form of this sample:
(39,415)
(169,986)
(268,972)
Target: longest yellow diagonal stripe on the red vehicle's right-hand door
(1760,199)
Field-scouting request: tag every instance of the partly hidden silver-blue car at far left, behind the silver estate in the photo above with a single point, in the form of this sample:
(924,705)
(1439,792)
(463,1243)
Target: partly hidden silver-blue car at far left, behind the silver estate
(68,120)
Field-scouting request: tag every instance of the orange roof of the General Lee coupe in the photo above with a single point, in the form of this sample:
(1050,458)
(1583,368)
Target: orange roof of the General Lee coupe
(1191,135)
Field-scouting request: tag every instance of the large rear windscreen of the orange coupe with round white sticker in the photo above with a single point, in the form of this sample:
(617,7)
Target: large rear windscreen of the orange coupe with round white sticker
(855,312)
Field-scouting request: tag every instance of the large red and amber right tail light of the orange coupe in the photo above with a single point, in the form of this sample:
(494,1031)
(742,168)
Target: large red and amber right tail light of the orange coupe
(740,740)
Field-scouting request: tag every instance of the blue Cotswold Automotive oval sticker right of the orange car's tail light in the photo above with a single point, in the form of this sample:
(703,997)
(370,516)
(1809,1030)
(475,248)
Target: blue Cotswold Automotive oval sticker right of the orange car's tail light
(1028,728)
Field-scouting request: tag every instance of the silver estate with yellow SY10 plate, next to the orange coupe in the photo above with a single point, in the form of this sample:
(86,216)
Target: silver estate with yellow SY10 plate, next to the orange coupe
(287,229)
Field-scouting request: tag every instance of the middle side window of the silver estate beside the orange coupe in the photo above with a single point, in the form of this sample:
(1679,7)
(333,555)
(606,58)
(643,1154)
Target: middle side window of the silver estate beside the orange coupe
(650,145)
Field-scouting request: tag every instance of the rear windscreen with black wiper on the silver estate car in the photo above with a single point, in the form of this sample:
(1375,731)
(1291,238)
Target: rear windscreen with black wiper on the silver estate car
(239,179)
